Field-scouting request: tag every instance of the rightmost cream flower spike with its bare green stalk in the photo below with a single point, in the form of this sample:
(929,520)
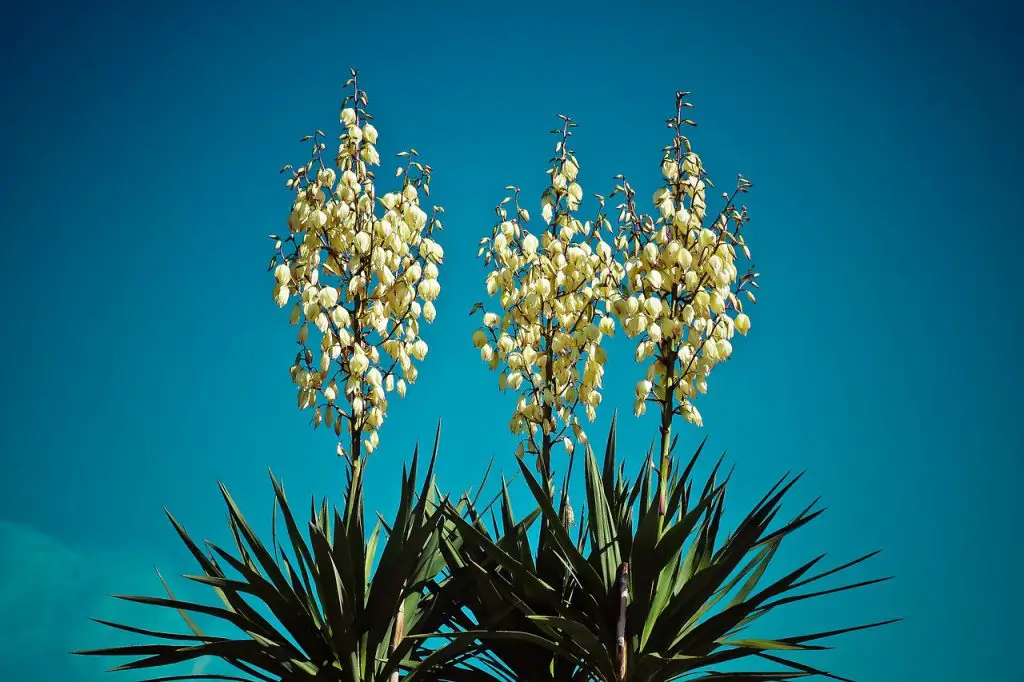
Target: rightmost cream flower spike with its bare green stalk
(682,291)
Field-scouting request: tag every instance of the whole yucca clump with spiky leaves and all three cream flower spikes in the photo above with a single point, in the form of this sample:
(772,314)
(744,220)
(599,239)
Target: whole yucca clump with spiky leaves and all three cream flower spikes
(647,590)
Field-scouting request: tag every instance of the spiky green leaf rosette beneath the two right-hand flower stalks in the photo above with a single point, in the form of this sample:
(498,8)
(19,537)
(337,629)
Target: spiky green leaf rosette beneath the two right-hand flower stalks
(637,604)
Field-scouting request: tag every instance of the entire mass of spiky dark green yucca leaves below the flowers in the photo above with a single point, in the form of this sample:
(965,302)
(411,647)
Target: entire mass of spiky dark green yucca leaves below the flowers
(529,600)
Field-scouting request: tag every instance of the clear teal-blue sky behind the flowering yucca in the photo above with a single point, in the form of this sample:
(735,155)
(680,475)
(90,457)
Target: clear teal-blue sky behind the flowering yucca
(144,360)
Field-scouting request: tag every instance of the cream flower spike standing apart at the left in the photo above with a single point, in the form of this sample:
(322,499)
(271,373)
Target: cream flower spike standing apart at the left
(362,269)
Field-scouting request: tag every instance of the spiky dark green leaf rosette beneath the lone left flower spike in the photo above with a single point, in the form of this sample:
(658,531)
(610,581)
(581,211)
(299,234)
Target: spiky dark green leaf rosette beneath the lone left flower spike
(335,615)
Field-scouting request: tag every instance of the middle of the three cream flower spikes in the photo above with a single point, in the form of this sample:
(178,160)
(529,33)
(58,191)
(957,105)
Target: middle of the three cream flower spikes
(554,292)
